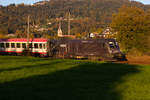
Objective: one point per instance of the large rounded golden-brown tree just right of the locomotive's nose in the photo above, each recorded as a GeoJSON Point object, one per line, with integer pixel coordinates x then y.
{"type": "Point", "coordinates": [132, 27]}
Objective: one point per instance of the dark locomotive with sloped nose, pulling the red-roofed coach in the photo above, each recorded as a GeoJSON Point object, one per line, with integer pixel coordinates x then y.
{"type": "Point", "coordinates": [95, 49]}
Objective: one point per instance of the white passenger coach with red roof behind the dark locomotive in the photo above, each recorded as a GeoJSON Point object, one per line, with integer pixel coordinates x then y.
{"type": "Point", "coordinates": [18, 46]}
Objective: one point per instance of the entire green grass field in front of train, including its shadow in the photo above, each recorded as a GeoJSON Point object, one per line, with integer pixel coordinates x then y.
{"type": "Point", "coordinates": [28, 78]}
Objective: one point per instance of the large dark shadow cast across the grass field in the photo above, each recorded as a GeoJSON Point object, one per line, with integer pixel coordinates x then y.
{"type": "Point", "coordinates": [87, 81]}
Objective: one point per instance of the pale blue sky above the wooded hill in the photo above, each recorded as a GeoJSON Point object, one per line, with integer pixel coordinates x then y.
{"type": "Point", "coordinates": [7, 2]}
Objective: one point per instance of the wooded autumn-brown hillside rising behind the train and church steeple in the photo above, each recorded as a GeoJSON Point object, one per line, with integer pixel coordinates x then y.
{"type": "Point", "coordinates": [86, 15]}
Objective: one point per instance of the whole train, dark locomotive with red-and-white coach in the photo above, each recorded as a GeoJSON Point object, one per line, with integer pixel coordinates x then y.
{"type": "Point", "coordinates": [95, 49]}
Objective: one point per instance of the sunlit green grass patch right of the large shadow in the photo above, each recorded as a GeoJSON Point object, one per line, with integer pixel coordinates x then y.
{"type": "Point", "coordinates": [137, 86]}
